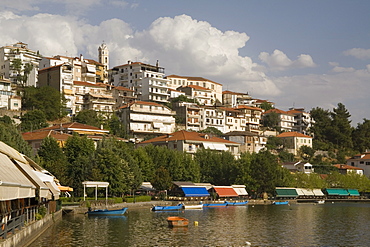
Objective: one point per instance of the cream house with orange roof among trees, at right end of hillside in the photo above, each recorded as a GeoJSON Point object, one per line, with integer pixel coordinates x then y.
{"type": "Point", "coordinates": [293, 141]}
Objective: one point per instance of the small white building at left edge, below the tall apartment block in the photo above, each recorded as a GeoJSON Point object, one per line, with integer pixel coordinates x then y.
{"type": "Point", "coordinates": [8, 98]}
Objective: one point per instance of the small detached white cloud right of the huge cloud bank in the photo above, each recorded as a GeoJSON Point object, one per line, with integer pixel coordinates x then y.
{"type": "Point", "coordinates": [278, 60]}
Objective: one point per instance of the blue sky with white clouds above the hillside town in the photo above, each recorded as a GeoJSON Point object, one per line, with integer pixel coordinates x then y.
{"type": "Point", "coordinates": [295, 53]}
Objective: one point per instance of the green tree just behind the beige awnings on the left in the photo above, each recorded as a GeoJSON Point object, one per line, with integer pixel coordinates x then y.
{"type": "Point", "coordinates": [53, 159]}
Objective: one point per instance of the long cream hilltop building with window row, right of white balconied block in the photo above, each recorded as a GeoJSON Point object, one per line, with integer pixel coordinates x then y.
{"type": "Point", "coordinates": [215, 88]}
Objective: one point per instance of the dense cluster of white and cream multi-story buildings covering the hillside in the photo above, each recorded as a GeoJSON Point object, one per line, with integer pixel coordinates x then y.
{"type": "Point", "coordinates": [140, 94]}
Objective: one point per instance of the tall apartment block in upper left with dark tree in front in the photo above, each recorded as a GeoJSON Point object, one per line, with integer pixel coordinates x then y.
{"type": "Point", "coordinates": [23, 72]}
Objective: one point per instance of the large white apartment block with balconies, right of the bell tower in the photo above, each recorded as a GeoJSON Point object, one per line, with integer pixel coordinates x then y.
{"type": "Point", "coordinates": [148, 81]}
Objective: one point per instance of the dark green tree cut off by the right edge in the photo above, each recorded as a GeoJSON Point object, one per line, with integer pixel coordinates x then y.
{"type": "Point", "coordinates": [361, 136]}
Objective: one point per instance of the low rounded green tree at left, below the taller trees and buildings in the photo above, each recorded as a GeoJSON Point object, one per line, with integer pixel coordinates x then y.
{"type": "Point", "coordinates": [33, 120]}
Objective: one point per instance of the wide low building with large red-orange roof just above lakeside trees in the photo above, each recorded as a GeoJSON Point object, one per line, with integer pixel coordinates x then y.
{"type": "Point", "coordinates": [190, 142]}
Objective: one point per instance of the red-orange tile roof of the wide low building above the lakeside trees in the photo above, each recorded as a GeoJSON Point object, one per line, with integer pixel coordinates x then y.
{"type": "Point", "coordinates": [184, 135]}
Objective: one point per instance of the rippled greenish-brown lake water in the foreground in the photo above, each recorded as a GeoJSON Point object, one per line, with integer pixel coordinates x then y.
{"type": "Point", "coordinates": [338, 224]}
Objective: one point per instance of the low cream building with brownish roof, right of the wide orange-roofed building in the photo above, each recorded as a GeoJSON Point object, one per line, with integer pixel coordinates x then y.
{"type": "Point", "coordinates": [251, 142]}
